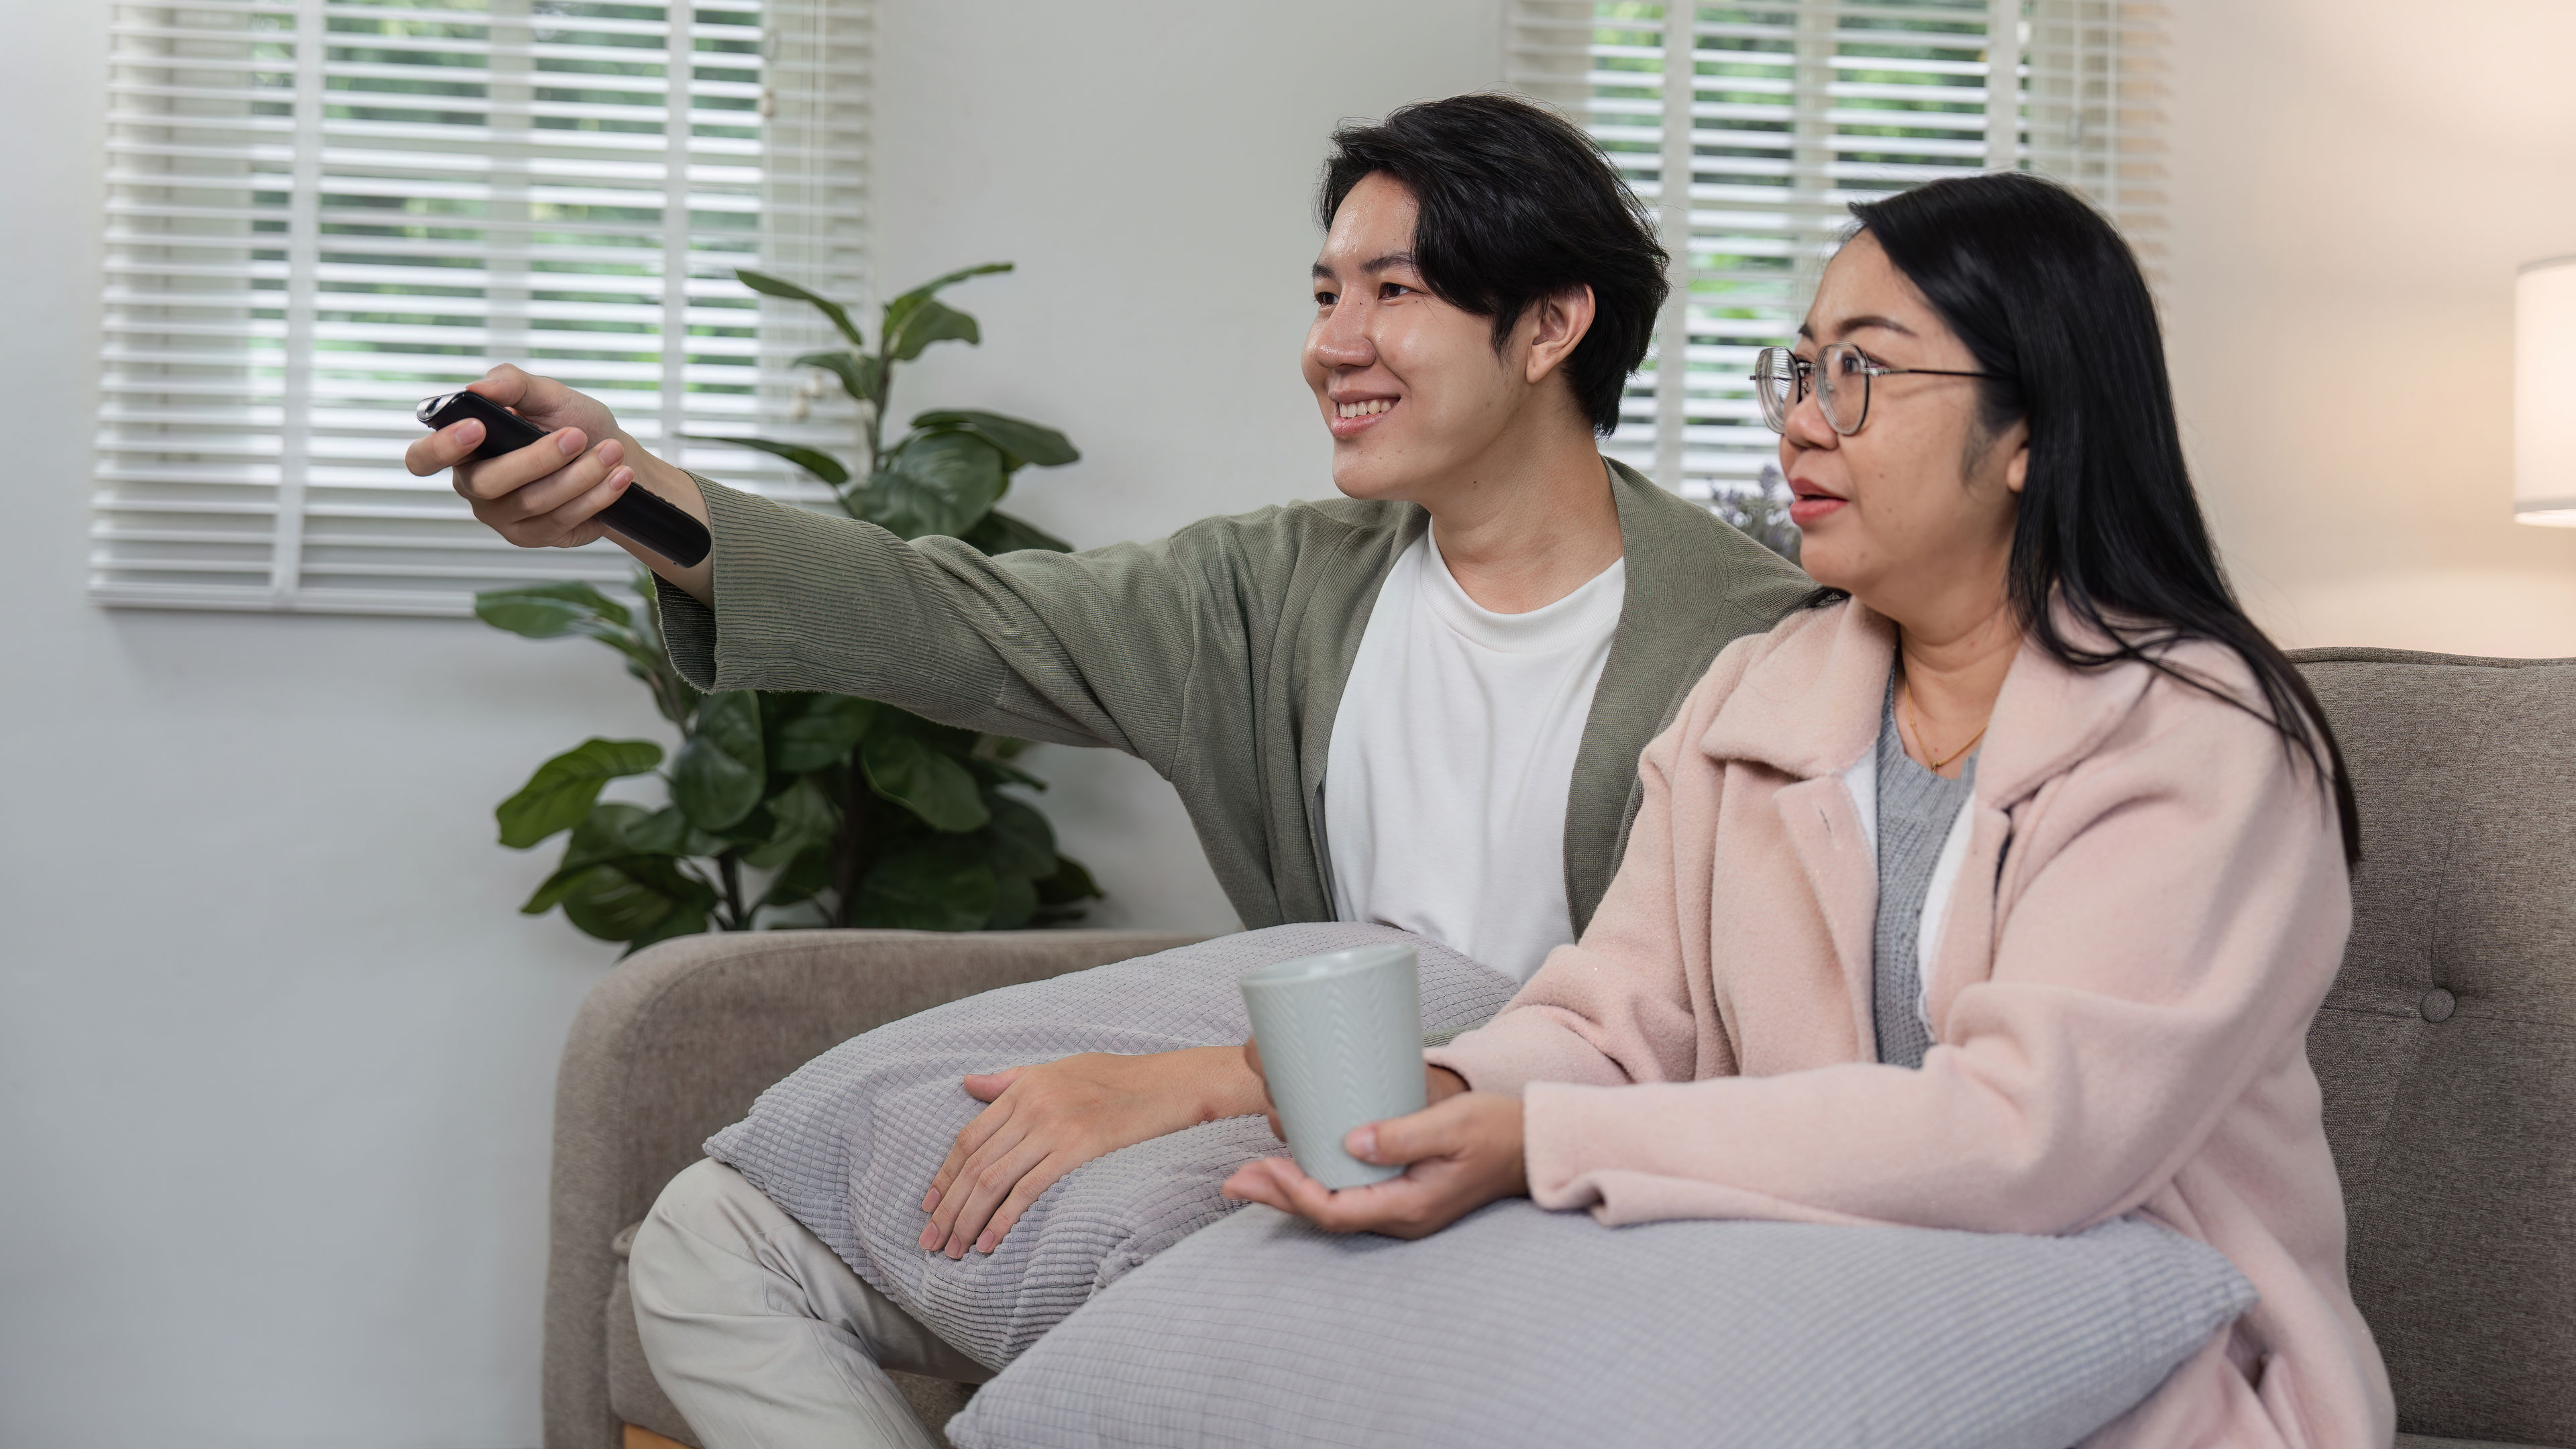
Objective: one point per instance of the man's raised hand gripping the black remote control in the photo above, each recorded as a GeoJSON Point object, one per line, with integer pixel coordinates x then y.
{"type": "Point", "coordinates": [550, 494]}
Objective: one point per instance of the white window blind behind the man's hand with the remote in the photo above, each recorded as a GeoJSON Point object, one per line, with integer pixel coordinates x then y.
{"type": "Point", "coordinates": [326, 210]}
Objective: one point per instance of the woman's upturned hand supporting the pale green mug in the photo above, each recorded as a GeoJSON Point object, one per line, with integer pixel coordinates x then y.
{"type": "Point", "coordinates": [1457, 1154]}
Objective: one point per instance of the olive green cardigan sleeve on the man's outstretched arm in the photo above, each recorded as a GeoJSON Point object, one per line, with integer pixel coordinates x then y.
{"type": "Point", "coordinates": [1091, 648]}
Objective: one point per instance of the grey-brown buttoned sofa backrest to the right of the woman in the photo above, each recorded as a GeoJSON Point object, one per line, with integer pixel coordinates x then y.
{"type": "Point", "coordinates": [2448, 1045]}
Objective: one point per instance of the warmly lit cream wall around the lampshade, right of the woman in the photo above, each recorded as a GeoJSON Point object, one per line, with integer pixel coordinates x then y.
{"type": "Point", "coordinates": [2353, 190]}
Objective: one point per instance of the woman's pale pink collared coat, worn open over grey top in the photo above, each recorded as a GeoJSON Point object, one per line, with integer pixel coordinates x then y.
{"type": "Point", "coordinates": [2152, 906]}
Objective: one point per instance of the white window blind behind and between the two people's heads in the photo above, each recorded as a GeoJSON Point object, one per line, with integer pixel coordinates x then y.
{"type": "Point", "coordinates": [1753, 128]}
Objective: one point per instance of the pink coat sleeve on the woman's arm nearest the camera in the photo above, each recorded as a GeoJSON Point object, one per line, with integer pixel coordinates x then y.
{"type": "Point", "coordinates": [2165, 937]}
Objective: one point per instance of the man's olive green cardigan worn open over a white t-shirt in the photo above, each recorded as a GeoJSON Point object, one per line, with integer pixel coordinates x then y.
{"type": "Point", "coordinates": [1215, 656]}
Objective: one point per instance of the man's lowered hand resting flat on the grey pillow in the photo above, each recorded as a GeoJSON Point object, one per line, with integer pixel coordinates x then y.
{"type": "Point", "coordinates": [1055, 1118]}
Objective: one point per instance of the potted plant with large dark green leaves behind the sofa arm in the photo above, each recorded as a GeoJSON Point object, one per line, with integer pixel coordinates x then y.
{"type": "Point", "coordinates": [810, 808]}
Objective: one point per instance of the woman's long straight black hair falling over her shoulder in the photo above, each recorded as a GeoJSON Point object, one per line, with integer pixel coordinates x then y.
{"type": "Point", "coordinates": [2054, 306]}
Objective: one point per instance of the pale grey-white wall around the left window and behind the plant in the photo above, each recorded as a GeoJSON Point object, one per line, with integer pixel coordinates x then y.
{"type": "Point", "coordinates": [277, 1053]}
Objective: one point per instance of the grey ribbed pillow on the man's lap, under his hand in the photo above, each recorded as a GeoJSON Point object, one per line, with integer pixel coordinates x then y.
{"type": "Point", "coordinates": [849, 1143]}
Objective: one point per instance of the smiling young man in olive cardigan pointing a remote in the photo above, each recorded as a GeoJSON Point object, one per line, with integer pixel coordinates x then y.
{"type": "Point", "coordinates": [1416, 705]}
